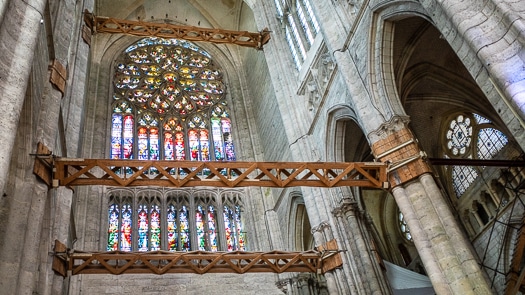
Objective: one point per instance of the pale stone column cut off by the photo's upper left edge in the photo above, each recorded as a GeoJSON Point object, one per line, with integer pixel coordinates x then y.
{"type": "Point", "coordinates": [18, 37]}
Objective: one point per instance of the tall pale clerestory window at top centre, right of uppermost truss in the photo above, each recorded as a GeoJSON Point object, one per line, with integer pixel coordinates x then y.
{"type": "Point", "coordinates": [300, 27]}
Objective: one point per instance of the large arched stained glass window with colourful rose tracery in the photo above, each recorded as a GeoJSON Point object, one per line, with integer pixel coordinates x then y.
{"type": "Point", "coordinates": [166, 92]}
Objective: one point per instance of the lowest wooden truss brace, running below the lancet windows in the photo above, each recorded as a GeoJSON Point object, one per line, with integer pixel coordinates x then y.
{"type": "Point", "coordinates": [67, 262]}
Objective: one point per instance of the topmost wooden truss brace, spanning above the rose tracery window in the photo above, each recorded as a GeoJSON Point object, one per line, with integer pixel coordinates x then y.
{"type": "Point", "coordinates": [100, 24]}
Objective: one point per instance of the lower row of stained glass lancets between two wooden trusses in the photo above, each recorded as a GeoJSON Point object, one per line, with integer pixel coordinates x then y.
{"type": "Point", "coordinates": [174, 220]}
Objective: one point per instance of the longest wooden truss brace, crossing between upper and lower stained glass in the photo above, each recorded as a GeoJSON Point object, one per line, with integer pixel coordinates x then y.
{"type": "Point", "coordinates": [127, 173]}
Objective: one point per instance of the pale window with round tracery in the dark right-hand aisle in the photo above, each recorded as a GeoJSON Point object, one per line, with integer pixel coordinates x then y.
{"type": "Point", "coordinates": [470, 136]}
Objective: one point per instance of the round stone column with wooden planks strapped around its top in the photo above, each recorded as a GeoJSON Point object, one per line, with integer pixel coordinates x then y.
{"type": "Point", "coordinates": [443, 247]}
